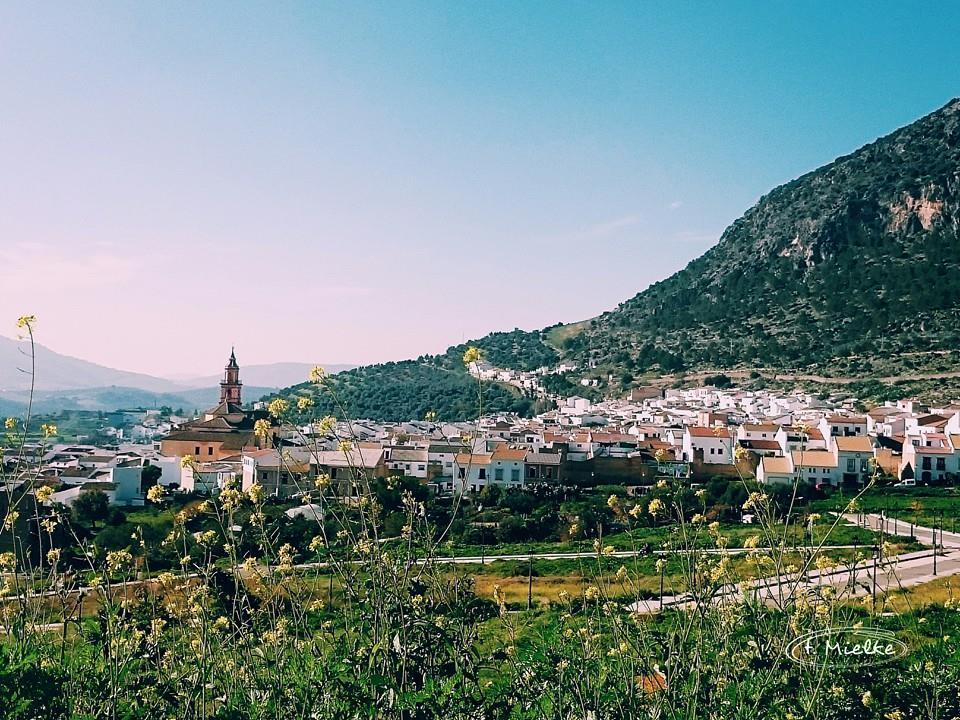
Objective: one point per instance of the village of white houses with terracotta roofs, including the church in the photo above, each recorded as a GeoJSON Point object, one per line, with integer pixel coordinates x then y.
{"type": "Point", "coordinates": [688, 434]}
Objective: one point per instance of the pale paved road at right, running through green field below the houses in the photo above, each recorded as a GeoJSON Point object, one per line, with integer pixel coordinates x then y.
{"type": "Point", "coordinates": [866, 578]}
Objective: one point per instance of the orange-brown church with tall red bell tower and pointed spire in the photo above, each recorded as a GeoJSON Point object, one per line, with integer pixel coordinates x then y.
{"type": "Point", "coordinates": [222, 432]}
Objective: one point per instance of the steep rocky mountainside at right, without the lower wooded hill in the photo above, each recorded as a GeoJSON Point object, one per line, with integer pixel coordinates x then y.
{"type": "Point", "coordinates": [860, 256]}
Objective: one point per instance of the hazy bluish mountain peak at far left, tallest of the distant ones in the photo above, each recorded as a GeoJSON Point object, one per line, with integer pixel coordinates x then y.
{"type": "Point", "coordinates": [62, 372]}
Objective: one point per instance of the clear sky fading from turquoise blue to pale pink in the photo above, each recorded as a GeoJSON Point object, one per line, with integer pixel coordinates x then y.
{"type": "Point", "coordinates": [360, 182]}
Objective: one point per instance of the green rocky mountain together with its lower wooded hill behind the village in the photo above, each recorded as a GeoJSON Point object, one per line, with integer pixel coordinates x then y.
{"type": "Point", "coordinates": [851, 267]}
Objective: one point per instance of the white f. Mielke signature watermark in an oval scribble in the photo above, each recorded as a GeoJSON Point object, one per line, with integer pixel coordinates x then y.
{"type": "Point", "coordinates": [846, 646]}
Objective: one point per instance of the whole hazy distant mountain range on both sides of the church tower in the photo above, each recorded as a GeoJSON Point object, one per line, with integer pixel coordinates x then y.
{"type": "Point", "coordinates": [69, 383]}
